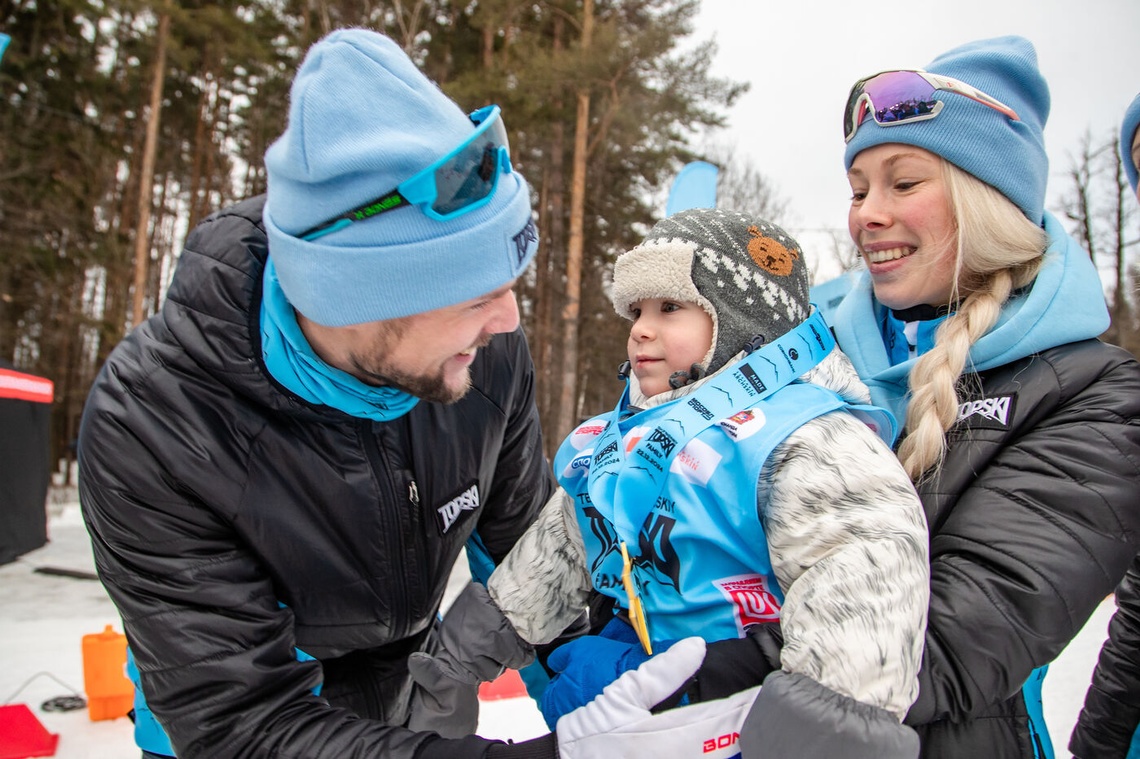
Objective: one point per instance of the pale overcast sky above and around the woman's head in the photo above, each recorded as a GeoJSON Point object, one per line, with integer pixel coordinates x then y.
{"type": "Point", "coordinates": [802, 58]}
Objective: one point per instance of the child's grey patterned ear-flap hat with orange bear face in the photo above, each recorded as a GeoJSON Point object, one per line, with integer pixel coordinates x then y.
{"type": "Point", "coordinates": [746, 273]}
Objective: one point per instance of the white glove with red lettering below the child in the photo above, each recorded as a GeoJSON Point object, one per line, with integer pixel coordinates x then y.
{"type": "Point", "coordinates": [620, 723]}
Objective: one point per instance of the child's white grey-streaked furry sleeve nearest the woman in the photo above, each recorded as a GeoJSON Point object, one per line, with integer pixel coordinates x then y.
{"type": "Point", "coordinates": [849, 544]}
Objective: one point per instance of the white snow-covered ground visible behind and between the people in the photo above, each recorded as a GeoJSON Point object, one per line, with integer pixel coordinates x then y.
{"type": "Point", "coordinates": [45, 617]}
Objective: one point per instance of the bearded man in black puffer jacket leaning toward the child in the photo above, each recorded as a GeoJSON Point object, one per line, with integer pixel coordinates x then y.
{"type": "Point", "coordinates": [281, 468]}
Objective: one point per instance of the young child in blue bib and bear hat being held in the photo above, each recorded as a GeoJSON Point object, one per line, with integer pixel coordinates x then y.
{"type": "Point", "coordinates": [740, 480]}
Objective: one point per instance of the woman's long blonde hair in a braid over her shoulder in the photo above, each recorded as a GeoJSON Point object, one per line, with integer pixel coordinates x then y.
{"type": "Point", "coordinates": [999, 250]}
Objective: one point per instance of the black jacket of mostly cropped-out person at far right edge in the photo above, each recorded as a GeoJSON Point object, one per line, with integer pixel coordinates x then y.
{"type": "Point", "coordinates": [1112, 707]}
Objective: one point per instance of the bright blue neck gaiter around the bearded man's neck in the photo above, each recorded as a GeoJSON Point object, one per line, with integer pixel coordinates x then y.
{"type": "Point", "coordinates": [292, 362]}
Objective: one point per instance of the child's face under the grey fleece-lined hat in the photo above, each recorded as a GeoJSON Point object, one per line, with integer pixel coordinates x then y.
{"type": "Point", "coordinates": [667, 337]}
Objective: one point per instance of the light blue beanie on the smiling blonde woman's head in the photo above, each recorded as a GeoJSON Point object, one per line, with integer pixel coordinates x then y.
{"type": "Point", "coordinates": [1007, 154]}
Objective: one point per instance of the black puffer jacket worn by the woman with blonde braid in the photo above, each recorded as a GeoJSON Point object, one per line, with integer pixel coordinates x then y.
{"type": "Point", "coordinates": [1033, 521]}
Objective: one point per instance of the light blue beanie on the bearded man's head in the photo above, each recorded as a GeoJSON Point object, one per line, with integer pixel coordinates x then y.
{"type": "Point", "coordinates": [363, 119]}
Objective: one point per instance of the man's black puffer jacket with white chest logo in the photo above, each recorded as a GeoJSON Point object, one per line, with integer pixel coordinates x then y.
{"type": "Point", "coordinates": [233, 521]}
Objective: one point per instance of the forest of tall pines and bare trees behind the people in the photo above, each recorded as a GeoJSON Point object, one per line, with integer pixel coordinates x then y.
{"type": "Point", "coordinates": [125, 123]}
